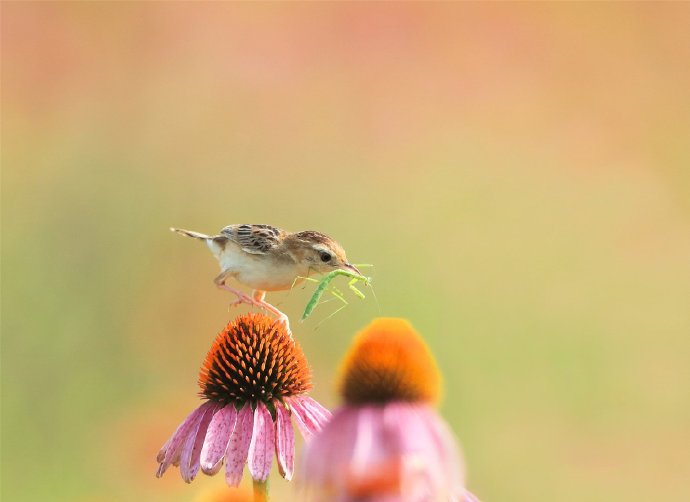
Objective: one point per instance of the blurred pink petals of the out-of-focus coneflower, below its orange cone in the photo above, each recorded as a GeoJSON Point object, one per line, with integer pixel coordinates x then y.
{"type": "Point", "coordinates": [385, 452]}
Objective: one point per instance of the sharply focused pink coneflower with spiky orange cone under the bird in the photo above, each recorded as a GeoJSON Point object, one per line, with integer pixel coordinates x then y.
{"type": "Point", "coordinates": [254, 381]}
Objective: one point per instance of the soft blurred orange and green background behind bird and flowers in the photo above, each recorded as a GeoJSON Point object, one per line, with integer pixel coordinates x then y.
{"type": "Point", "coordinates": [518, 173]}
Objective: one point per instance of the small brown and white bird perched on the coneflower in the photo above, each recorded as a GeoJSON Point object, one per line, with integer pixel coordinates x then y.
{"type": "Point", "coordinates": [267, 258]}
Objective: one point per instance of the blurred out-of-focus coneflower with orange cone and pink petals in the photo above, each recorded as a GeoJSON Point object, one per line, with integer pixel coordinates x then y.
{"type": "Point", "coordinates": [387, 442]}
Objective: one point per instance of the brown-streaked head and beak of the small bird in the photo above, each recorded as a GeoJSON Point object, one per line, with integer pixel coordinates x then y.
{"type": "Point", "coordinates": [320, 253]}
